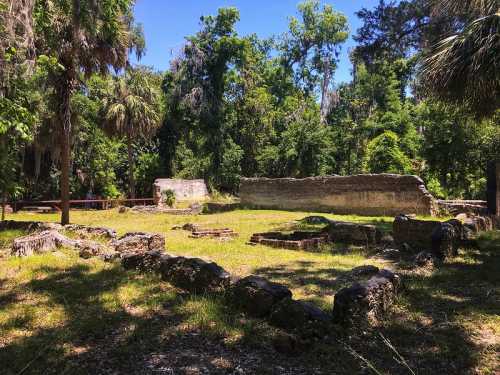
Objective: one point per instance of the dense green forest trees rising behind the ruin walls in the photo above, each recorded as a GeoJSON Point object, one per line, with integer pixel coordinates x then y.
{"type": "Point", "coordinates": [235, 105]}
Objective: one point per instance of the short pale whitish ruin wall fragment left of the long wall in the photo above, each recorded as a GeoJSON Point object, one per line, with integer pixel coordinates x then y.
{"type": "Point", "coordinates": [183, 189]}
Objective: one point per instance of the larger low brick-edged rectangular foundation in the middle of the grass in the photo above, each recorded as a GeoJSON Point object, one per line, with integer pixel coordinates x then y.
{"type": "Point", "coordinates": [297, 240]}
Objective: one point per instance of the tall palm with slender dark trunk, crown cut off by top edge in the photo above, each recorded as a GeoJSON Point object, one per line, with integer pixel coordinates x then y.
{"type": "Point", "coordinates": [84, 37]}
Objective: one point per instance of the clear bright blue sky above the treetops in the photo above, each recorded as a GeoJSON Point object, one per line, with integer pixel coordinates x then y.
{"type": "Point", "coordinates": [167, 22]}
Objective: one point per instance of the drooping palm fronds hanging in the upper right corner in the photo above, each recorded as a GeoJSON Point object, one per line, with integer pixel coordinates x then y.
{"type": "Point", "coordinates": [464, 68]}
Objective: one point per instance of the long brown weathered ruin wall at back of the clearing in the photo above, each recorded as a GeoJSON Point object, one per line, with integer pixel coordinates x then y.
{"type": "Point", "coordinates": [365, 194]}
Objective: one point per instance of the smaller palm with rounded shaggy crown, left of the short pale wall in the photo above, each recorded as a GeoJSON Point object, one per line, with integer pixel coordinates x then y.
{"type": "Point", "coordinates": [133, 111]}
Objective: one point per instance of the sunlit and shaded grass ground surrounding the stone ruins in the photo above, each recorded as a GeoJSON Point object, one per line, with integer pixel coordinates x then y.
{"type": "Point", "coordinates": [62, 314]}
